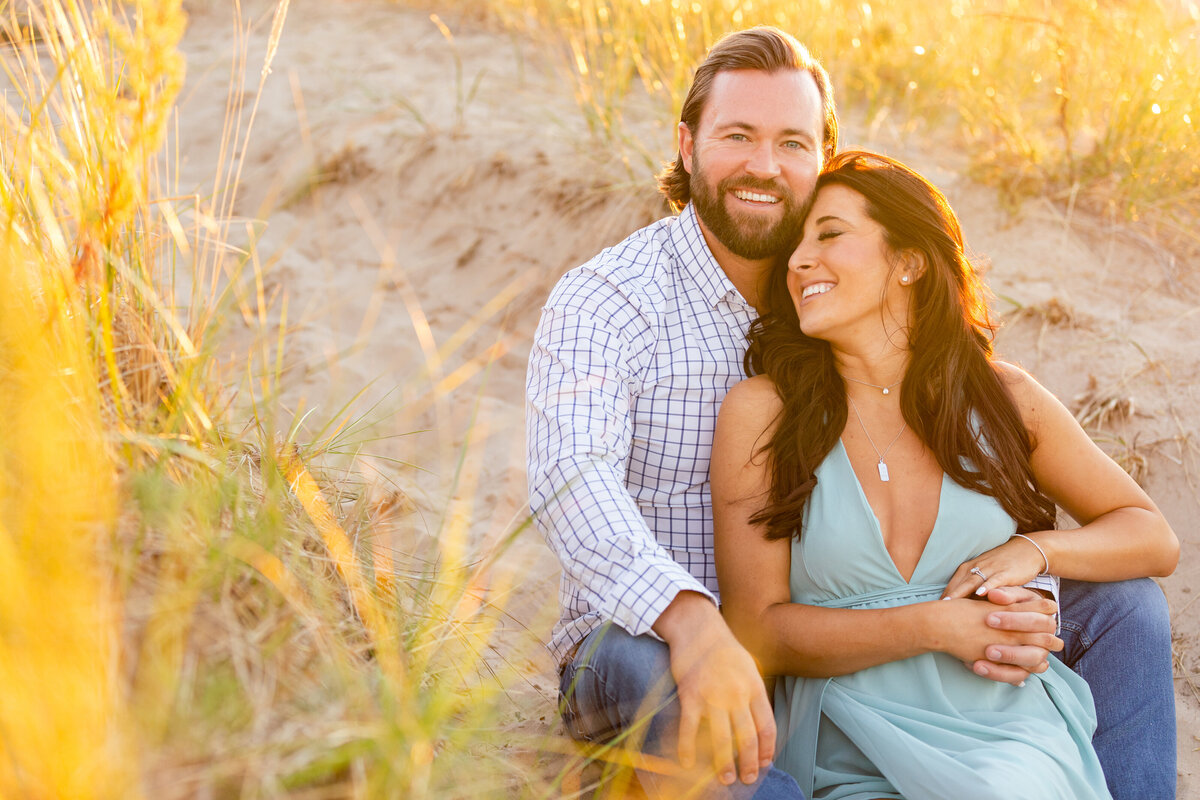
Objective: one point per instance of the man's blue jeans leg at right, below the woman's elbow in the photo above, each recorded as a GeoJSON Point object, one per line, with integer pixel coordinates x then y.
{"type": "Point", "coordinates": [1119, 640]}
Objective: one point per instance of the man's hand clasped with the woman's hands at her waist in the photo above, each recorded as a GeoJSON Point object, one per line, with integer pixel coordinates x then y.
{"type": "Point", "coordinates": [1018, 610]}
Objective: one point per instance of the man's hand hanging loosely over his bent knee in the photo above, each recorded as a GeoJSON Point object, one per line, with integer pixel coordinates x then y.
{"type": "Point", "coordinates": [718, 683]}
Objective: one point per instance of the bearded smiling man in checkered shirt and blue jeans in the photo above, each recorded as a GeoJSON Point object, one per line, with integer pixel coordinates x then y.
{"type": "Point", "coordinates": [632, 359]}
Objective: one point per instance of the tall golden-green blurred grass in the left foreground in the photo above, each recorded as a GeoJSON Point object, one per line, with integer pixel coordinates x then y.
{"type": "Point", "coordinates": [188, 610]}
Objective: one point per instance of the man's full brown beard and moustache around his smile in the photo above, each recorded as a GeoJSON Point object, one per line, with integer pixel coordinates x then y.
{"type": "Point", "coordinates": [746, 237]}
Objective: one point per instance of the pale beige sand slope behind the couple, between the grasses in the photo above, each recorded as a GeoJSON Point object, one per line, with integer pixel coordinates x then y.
{"type": "Point", "coordinates": [415, 195]}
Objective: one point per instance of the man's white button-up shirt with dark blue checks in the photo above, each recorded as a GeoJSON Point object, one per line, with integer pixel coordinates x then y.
{"type": "Point", "coordinates": [633, 357]}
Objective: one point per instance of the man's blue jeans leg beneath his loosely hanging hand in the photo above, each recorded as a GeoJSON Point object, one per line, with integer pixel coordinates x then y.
{"type": "Point", "coordinates": [621, 685]}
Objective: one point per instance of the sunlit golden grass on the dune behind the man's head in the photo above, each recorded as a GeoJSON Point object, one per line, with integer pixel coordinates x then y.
{"type": "Point", "coordinates": [1091, 104]}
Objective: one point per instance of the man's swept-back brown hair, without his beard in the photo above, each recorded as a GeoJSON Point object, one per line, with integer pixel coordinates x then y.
{"type": "Point", "coordinates": [765, 49]}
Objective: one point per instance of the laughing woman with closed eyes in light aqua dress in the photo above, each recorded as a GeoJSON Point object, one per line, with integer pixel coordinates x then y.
{"type": "Point", "coordinates": [879, 474]}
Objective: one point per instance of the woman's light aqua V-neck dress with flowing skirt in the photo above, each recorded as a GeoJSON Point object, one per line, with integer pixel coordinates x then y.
{"type": "Point", "coordinates": [926, 727]}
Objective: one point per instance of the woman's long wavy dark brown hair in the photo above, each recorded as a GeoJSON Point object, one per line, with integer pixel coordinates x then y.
{"type": "Point", "coordinates": [952, 396]}
